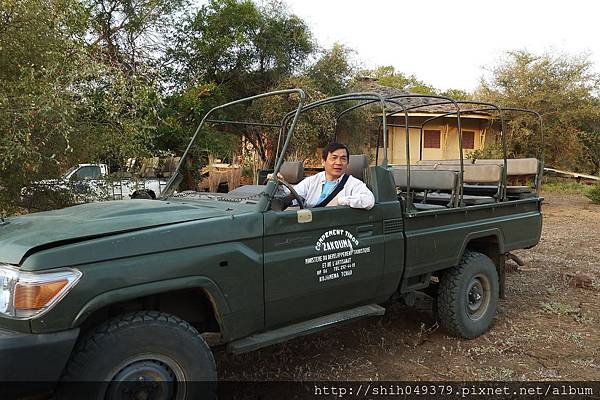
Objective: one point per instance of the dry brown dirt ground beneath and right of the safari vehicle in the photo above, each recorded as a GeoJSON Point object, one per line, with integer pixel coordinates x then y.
{"type": "Point", "coordinates": [547, 328]}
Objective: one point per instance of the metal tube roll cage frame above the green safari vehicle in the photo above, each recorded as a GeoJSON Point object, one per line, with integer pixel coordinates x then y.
{"type": "Point", "coordinates": [290, 120]}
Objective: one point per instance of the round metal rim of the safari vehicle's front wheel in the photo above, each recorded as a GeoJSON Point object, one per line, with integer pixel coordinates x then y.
{"type": "Point", "coordinates": [146, 377]}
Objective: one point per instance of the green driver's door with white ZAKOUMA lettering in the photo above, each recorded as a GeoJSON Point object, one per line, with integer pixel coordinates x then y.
{"type": "Point", "coordinates": [331, 263]}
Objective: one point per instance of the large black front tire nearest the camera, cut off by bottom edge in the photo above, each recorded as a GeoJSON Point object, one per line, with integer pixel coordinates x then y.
{"type": "Point", "coordinates": [144, 354]}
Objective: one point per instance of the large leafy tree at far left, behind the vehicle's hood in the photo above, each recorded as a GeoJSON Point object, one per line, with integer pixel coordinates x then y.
{"type": "Point", "coordinates": [59, 103]}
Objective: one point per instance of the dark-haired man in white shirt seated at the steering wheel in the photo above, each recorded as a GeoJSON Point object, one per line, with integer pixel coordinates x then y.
{"type": "Point", "coordinates": [334, 186]}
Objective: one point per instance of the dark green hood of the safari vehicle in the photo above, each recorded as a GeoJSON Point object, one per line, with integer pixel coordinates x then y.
{"type": "Point", "coordinates": [20, 236]}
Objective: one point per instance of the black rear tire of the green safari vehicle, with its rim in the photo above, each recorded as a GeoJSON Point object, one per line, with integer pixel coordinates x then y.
{"type": "Point", "coordinates": [468, 296]}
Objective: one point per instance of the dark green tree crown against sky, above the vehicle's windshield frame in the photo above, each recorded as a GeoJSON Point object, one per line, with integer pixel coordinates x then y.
{"type": "Point", "coordinates": [238, 44]}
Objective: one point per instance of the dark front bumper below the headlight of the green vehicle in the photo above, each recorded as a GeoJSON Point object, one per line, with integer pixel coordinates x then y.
{"type": "Point", "coordinates": [26, 357]}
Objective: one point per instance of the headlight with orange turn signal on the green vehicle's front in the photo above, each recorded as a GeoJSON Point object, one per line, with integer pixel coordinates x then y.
{"type": "Point", "coordinates": [25, 295]}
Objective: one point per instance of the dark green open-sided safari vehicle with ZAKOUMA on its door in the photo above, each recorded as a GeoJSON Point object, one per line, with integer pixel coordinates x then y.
{"type": "Point", "coordinates": [124, 292]}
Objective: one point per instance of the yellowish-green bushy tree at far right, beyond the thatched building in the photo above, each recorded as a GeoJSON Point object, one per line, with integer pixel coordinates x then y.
{"type": "Point", "coordinates": [563, 89]}
